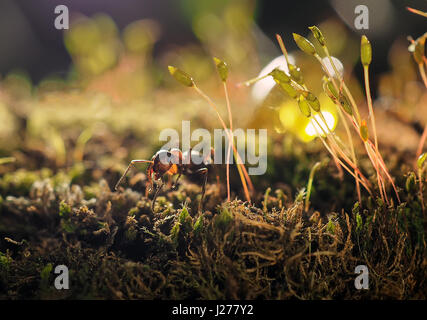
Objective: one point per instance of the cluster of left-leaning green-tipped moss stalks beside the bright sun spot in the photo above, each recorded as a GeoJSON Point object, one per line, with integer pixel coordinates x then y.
{"type": "Point", "coordinates": [335, 87]}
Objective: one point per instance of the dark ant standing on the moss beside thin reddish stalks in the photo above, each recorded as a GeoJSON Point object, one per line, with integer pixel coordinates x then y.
{"type": "Point", "coordinates": [174, 162]}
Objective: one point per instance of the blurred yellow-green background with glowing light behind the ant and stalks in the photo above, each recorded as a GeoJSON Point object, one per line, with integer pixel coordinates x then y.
{"type": "Point", "coordinates": [100, 91]}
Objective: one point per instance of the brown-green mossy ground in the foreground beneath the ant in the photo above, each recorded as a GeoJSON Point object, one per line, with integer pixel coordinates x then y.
{"type": "Point", "coordinates": [115, 247]}
